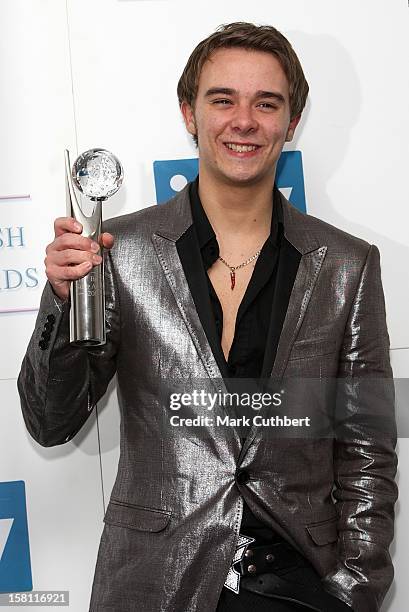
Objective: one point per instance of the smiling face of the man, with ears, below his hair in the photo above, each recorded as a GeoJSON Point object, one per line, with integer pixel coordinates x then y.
{"type": "Point", "coordinates": [241, 116]}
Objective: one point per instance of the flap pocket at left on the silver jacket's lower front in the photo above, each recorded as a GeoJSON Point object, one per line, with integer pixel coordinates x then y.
{"type": "Point", "coordinates": [140, 518]}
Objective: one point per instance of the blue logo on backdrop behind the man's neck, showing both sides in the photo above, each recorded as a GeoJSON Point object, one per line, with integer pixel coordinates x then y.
{"type": "Point", "coordinates": [173, 174]}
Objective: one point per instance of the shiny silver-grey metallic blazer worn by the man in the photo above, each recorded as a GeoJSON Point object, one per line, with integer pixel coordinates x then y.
{"type": "Point", "coordinates": [173, 521]}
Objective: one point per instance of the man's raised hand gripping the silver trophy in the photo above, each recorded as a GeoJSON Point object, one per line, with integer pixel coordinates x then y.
{"type": "Point", "coordinates": [71, 256]}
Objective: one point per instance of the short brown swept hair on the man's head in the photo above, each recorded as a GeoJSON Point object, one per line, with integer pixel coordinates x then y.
{"type": "Point", "coordinates": [252, 37]}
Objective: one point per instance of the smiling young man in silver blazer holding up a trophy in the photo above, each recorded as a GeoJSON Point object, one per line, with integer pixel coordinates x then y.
{"type": "Point", "coordinates": [227, 280]}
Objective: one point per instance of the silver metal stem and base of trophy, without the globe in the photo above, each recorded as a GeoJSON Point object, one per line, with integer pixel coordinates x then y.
{"type": "Point", "coordinates": [87, 314]}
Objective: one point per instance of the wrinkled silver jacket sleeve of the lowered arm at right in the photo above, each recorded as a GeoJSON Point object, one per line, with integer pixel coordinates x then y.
{"type": "Point", "coordinates": [364, 450]}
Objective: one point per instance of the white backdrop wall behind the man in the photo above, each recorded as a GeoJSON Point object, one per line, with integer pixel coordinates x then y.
{"type": "Point", "coordinates": [83, 73]}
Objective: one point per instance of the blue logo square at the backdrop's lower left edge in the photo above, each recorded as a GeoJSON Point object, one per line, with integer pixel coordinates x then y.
{"type": "Point", "coordinates": [15, 567]}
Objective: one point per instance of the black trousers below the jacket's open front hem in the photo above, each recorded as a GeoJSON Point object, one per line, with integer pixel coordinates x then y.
{"type": "Point", "coordinates": [302, 578]}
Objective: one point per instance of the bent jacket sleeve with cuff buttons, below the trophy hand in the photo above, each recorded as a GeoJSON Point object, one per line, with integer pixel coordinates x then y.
{"type": "Point", "coordinates": [59, 383]}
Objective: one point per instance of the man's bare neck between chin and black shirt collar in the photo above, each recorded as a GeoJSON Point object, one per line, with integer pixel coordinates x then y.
{"type": "Point", "coordinates": [239, 210]}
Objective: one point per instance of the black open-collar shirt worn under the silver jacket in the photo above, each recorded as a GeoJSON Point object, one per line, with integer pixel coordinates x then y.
{"type": "Point", "coordinates": [264, 305]}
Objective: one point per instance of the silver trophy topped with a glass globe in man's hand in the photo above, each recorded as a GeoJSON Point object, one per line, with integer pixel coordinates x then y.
{"type": "Point", "coordinates": [98, 175]}
